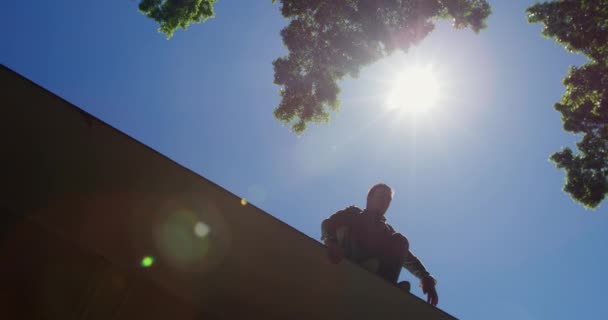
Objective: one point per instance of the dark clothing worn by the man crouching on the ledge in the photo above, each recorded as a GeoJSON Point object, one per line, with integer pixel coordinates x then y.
{"type": "Point", "coordinates": [366, 237]}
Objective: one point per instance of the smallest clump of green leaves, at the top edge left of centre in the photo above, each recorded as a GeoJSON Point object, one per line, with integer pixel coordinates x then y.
{"type": "Point", "coordinates": [173, 14]}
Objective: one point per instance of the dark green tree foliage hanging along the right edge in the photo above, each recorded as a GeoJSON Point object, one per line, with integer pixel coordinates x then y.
{"type": "Point", "coordinates": [582, 26]}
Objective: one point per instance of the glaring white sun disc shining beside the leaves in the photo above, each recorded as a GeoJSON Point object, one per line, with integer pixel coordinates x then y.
{"type": "Point", "coordinates": [415, 90]}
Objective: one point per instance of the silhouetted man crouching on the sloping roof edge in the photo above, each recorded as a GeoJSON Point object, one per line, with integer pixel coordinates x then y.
{"type": "Point", "coordinates": [364, 237]}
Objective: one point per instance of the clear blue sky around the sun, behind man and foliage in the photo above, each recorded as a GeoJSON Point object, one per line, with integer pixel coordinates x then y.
{"type": "Point", "coordinates": [475, 193]}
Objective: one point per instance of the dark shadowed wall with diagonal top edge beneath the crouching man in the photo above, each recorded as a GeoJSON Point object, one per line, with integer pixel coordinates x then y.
{"type": "Point", "coordinates": [81, 204]}
